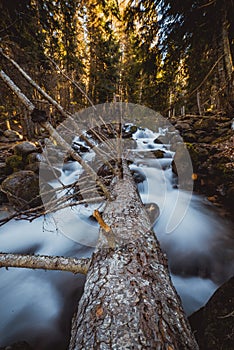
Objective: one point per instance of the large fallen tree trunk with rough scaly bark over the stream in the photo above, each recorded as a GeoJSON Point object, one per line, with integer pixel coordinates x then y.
{"type": "Point", "coordinates": [129, 301]}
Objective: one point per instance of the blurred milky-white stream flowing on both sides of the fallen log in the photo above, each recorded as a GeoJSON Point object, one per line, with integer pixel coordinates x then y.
{"type": "Point", "coordinates": [37, 306]}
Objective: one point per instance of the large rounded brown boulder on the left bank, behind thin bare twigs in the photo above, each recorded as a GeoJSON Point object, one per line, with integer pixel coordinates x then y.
{"type": "Point", "coordinates": [22, 189]}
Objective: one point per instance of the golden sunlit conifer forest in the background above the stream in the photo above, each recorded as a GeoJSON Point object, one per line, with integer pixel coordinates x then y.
{"type": "Point", "coordinates": [164, 54]}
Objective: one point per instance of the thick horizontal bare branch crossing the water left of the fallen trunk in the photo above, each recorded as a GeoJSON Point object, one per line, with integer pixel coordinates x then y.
{"type": "Point", "coordinates": [45, 262]}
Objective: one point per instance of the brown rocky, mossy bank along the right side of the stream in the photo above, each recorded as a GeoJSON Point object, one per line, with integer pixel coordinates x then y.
{"type": "Point", "coordinates": [210, 142]}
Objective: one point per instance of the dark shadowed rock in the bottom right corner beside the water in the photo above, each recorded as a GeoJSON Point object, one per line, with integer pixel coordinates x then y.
{"type": "Point", "coordinates": [213, 324]}
